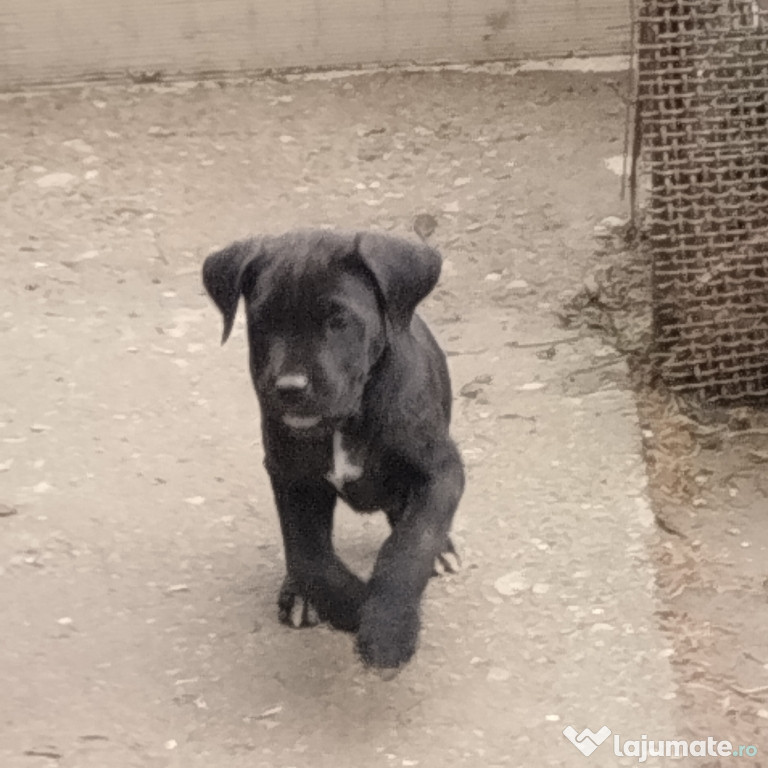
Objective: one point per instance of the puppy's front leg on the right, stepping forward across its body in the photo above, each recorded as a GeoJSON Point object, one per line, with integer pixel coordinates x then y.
{"type": "Point", "coordinates": [390, 621]}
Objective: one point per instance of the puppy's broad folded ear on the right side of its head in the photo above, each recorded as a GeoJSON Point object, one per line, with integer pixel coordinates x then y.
{"type": "Point", "coordinates": [404, 271]}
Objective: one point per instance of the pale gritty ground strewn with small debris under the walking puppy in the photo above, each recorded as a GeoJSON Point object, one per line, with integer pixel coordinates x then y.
{"type": "Point", "coordinates": [140, 553]}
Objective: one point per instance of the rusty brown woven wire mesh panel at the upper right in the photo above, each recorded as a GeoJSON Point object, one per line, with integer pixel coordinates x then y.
{"type": "Point", "coordinates": [702, 141]}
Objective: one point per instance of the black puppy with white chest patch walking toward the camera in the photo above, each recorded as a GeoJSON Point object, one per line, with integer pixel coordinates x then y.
{"type": "Point", "coordinates": [356, 402]}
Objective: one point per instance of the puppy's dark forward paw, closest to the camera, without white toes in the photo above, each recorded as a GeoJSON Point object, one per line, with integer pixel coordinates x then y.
{"type": "Point", "coordinates": [387, 637]}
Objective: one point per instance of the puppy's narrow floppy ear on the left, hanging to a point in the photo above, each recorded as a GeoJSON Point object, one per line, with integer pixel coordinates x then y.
{"type": "Point", "coordinates": [223, 277]}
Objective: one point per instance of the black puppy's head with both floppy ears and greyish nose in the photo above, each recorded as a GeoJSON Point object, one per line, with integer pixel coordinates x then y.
{"type": "Point", "coordinates": [321, 308]}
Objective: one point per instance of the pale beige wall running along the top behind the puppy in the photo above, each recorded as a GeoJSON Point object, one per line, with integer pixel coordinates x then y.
{"type": "Point", "coordinates": [59, 40]}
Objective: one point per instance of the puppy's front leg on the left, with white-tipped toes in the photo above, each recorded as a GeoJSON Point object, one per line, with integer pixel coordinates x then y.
{"type": "Point", "coordinates": [318, 586]}
